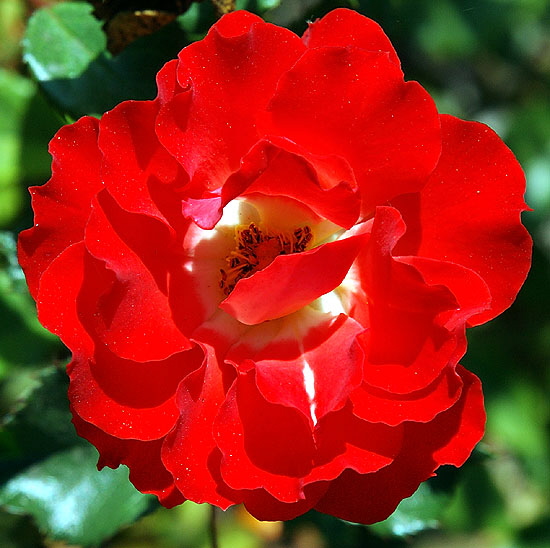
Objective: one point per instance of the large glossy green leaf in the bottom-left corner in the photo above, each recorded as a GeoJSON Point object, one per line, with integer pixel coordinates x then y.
{"type": "Point", "coordinates": [71, 501]}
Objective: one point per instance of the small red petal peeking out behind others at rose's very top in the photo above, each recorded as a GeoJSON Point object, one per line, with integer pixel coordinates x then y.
{"type": "Point", "coordinates": [343, 27]}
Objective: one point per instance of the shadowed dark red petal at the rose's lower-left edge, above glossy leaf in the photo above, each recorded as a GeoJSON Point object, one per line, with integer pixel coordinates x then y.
{"type": "Point", "coordinates": [147, 472]}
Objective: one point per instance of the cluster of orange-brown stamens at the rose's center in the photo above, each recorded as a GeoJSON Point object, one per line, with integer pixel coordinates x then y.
{"type": "Point", "coordinates": [256, 249]}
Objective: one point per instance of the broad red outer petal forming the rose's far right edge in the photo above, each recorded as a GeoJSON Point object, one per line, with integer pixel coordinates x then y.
{"type": "Point", "coordinates": [469, 212]}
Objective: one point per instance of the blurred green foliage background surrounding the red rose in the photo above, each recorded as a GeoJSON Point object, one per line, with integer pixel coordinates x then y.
{"type": "Point", "coordinates": [487, 60]}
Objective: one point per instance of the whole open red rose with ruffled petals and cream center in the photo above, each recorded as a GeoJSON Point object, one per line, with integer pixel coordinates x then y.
{"type": "Point", "coordinates": [265, 274]}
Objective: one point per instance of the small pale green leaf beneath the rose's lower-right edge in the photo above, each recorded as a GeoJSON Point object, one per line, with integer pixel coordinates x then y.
{"type": "Point", "coordinates": [418, 513]}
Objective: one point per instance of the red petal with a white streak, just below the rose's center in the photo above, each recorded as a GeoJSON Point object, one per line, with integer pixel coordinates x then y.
{"type": "Point", "coordinates": [312, 364]}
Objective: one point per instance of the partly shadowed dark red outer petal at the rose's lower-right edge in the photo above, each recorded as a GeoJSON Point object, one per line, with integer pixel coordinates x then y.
{"type": "Point", "coordinates": [448, 439]}
